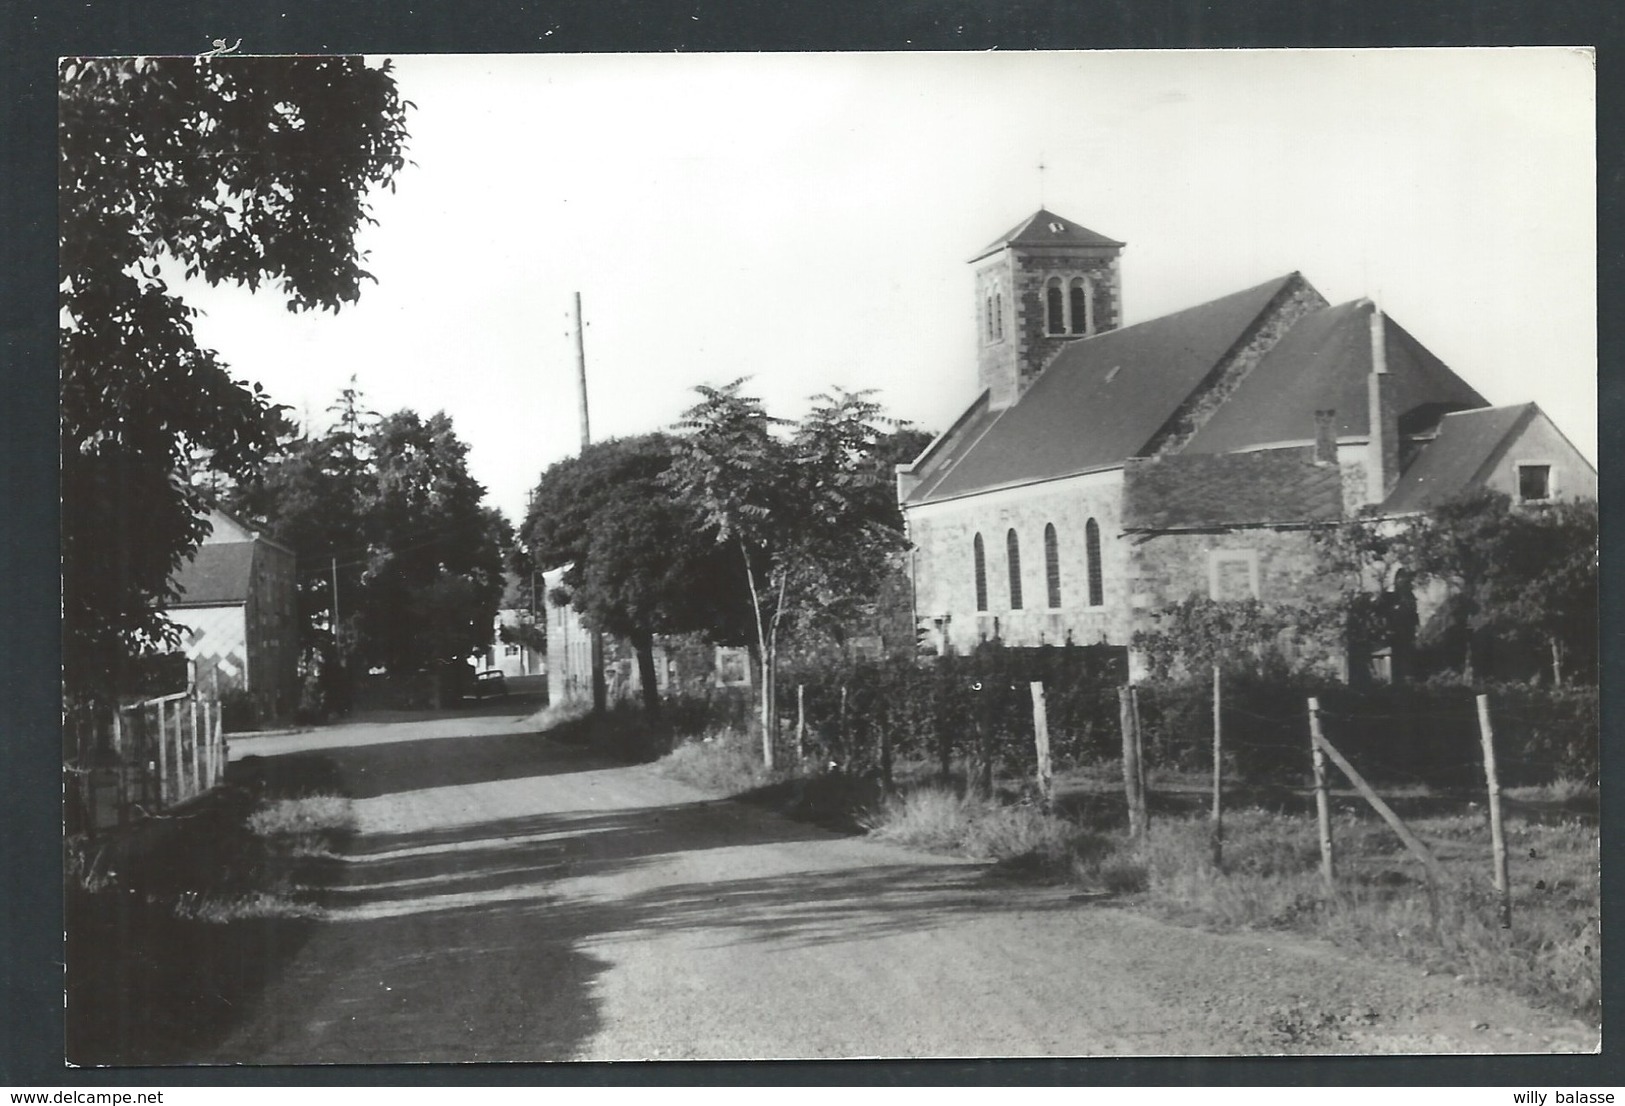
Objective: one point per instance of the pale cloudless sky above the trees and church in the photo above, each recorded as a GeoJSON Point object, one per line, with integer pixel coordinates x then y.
{"type": "Point", "coordinates": [807, 222]}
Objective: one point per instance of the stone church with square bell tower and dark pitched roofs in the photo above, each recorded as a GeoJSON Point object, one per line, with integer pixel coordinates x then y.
{"type": "Point", "coordinates": [1104, 472]}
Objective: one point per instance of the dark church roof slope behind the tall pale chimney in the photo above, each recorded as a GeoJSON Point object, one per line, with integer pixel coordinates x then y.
{"type": "Point", "coordinates": [1325, 363]}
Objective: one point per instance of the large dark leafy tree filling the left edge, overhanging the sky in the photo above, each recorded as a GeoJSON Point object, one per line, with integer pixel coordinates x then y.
{"type": "Point", "coordinates": [243, 170]}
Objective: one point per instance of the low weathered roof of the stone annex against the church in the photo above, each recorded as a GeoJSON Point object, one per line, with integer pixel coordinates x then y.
{"type": "Point", "coordinates": [1216, 491]}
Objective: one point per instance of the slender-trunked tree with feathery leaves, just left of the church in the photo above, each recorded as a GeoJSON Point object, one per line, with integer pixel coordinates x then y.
{"type": "Point", "coordinates": [807, 516]}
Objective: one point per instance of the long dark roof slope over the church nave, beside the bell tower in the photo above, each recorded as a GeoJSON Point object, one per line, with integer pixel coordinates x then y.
{"type": "Point", "coordinates": [1101, 400]}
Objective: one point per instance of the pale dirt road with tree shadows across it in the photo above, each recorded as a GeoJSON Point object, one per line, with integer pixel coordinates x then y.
{"type": "Point", "coordinates": [511, 899]}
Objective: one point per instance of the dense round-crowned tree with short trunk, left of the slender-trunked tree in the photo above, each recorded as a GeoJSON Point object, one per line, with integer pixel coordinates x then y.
{"type": "Point", "coordinates": [638, 566]}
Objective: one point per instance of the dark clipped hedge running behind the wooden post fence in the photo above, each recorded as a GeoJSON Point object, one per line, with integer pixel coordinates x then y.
{"type": "Point", "coordinates": [950, 711]}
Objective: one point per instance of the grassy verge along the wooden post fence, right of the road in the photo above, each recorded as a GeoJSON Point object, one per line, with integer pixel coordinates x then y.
{"type": "Point", "coordinates": [1270, 875]}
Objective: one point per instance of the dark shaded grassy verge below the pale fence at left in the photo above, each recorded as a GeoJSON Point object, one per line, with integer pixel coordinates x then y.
{"type": "Point", "coordinates": [171, 930]}
